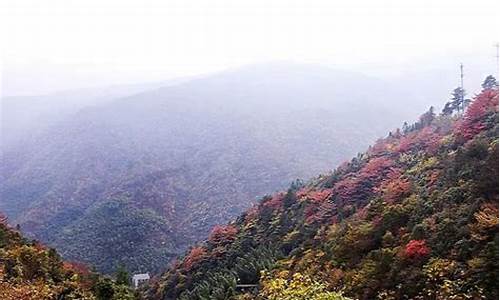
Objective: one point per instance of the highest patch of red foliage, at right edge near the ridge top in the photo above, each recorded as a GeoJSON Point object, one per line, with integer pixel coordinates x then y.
{"type": "Point", "coordinates": [473, 121]}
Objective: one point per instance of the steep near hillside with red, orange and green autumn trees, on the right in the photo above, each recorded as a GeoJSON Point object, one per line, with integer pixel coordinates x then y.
{"type": "Point", "coordinates": [414, 217]}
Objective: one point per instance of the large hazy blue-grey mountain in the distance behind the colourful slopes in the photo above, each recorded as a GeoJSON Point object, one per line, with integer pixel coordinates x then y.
{"type": "Point", "coordinates": [138, 179]}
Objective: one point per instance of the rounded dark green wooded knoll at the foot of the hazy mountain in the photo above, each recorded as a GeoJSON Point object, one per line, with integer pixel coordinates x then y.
{"type": "Point", "coordinates": [117, 228]}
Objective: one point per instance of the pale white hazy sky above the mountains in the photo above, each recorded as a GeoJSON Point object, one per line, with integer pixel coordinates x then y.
{"type": "Point", "coordinates": [51, 45]}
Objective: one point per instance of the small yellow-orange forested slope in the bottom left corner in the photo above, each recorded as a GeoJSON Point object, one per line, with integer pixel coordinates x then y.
{"type": "Point", "coordinates": [31, 271]}
